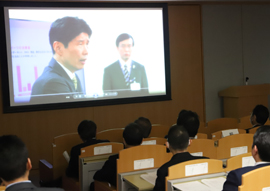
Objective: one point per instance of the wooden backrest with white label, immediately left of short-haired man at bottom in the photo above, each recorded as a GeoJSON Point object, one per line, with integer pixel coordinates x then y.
{"type": "Point", "coordinates": [131, 158]}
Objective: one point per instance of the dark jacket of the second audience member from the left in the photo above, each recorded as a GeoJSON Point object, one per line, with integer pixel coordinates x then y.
{"type": "Point", "coordinates": [73, 166]}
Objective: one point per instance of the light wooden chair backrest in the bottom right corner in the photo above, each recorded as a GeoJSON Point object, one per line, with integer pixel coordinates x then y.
{"type": "Point", "coordinates": [256, 180]}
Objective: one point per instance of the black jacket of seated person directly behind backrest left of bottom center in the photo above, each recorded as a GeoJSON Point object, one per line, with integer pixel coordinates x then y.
{"type": "Point", "coordinates": [108, 173]}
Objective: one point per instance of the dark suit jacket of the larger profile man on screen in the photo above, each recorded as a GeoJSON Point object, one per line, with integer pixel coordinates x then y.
{"type": "Point", "coordinates": [54, 80]}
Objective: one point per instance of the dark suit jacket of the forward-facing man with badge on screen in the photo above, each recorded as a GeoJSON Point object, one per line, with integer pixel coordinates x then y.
{"type": "Point", "coordinates": [113, 79]}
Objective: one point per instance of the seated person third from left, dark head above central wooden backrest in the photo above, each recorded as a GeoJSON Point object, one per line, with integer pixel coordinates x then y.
{"type": "Point", "coordinates": [132, 136]}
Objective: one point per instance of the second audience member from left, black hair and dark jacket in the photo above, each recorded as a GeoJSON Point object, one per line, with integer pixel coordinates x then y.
{"type": "Point", "coordinates": [87, 132]}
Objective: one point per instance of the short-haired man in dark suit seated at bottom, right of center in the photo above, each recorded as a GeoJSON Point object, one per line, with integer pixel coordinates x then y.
{"type": "Point", "coordinates": [178, 141]}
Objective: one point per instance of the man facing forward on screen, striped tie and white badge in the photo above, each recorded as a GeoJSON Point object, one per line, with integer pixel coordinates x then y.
{"type": "Point", "coordinates": [125, 76]}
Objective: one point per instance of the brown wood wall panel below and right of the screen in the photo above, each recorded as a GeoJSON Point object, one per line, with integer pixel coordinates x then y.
{"type": "Point", "coordinates": [37, 129]}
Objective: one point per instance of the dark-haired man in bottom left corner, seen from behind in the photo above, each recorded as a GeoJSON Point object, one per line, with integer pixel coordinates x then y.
{"type": "Point", "coordinates": [15, 165]}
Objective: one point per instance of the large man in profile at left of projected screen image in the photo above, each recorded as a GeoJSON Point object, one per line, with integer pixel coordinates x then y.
{"type": "Point", "coordinates": [69, 39]}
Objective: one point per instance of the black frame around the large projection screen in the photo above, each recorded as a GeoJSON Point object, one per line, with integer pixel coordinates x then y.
{"type": "Point", "coordinates": [4, 63]}
